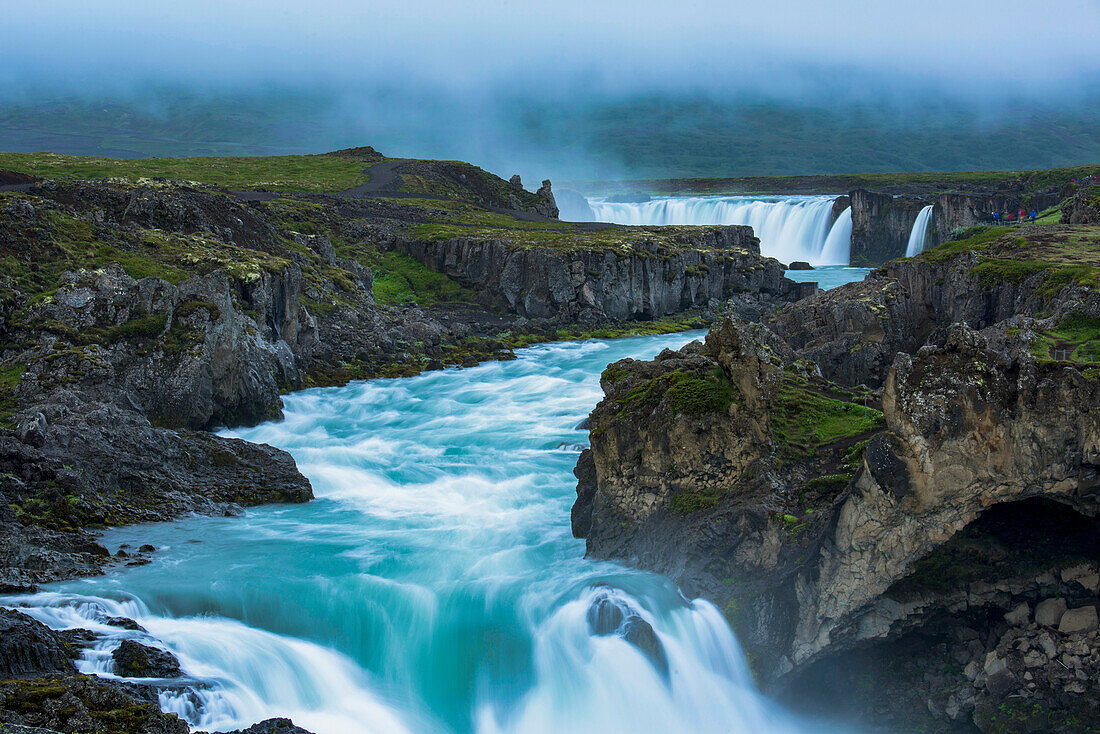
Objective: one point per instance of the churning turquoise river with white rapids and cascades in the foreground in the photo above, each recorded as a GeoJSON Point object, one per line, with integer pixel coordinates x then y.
{"type": "Point", "coordinates": [433, 586]}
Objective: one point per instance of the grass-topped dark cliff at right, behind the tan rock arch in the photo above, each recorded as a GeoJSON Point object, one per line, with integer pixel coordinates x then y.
{"type": "Point", "coordinates": [854, 333]}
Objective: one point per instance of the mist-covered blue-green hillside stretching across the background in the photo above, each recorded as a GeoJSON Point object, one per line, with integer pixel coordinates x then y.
{"type": "Point", "coordinates": [642, 138]}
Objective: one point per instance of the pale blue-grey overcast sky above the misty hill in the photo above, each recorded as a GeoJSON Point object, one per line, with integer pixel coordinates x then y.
{"type": "Point", "coordinates": [556, 47]}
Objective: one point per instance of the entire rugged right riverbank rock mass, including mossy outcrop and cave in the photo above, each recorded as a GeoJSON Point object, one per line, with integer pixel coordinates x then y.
{"type": "Point", "coordinates": [956, 533]}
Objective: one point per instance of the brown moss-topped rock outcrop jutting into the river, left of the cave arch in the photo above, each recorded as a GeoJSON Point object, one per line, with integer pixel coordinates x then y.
{"type": "Point", "coordinates": [691, 474]}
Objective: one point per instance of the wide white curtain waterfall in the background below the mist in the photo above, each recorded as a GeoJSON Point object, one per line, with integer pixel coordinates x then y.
{"type": "Point", "coordinates": [790, 228]}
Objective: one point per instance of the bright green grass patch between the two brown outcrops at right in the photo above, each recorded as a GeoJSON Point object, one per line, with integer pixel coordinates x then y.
{"type": "Point", "coordinates": [804, 422]}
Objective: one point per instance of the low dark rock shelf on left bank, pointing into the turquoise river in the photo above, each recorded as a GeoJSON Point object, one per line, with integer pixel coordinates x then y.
{"type": "Point", "coordinates": [133, 472]}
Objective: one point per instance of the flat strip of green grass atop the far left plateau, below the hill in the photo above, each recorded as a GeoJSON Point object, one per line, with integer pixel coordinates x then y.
{"type": "Point", "coordinates": [280, 173]}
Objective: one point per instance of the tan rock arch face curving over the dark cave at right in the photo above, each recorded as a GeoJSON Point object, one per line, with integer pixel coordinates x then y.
{"type": "Point", "coordinates": [967, 429]}
